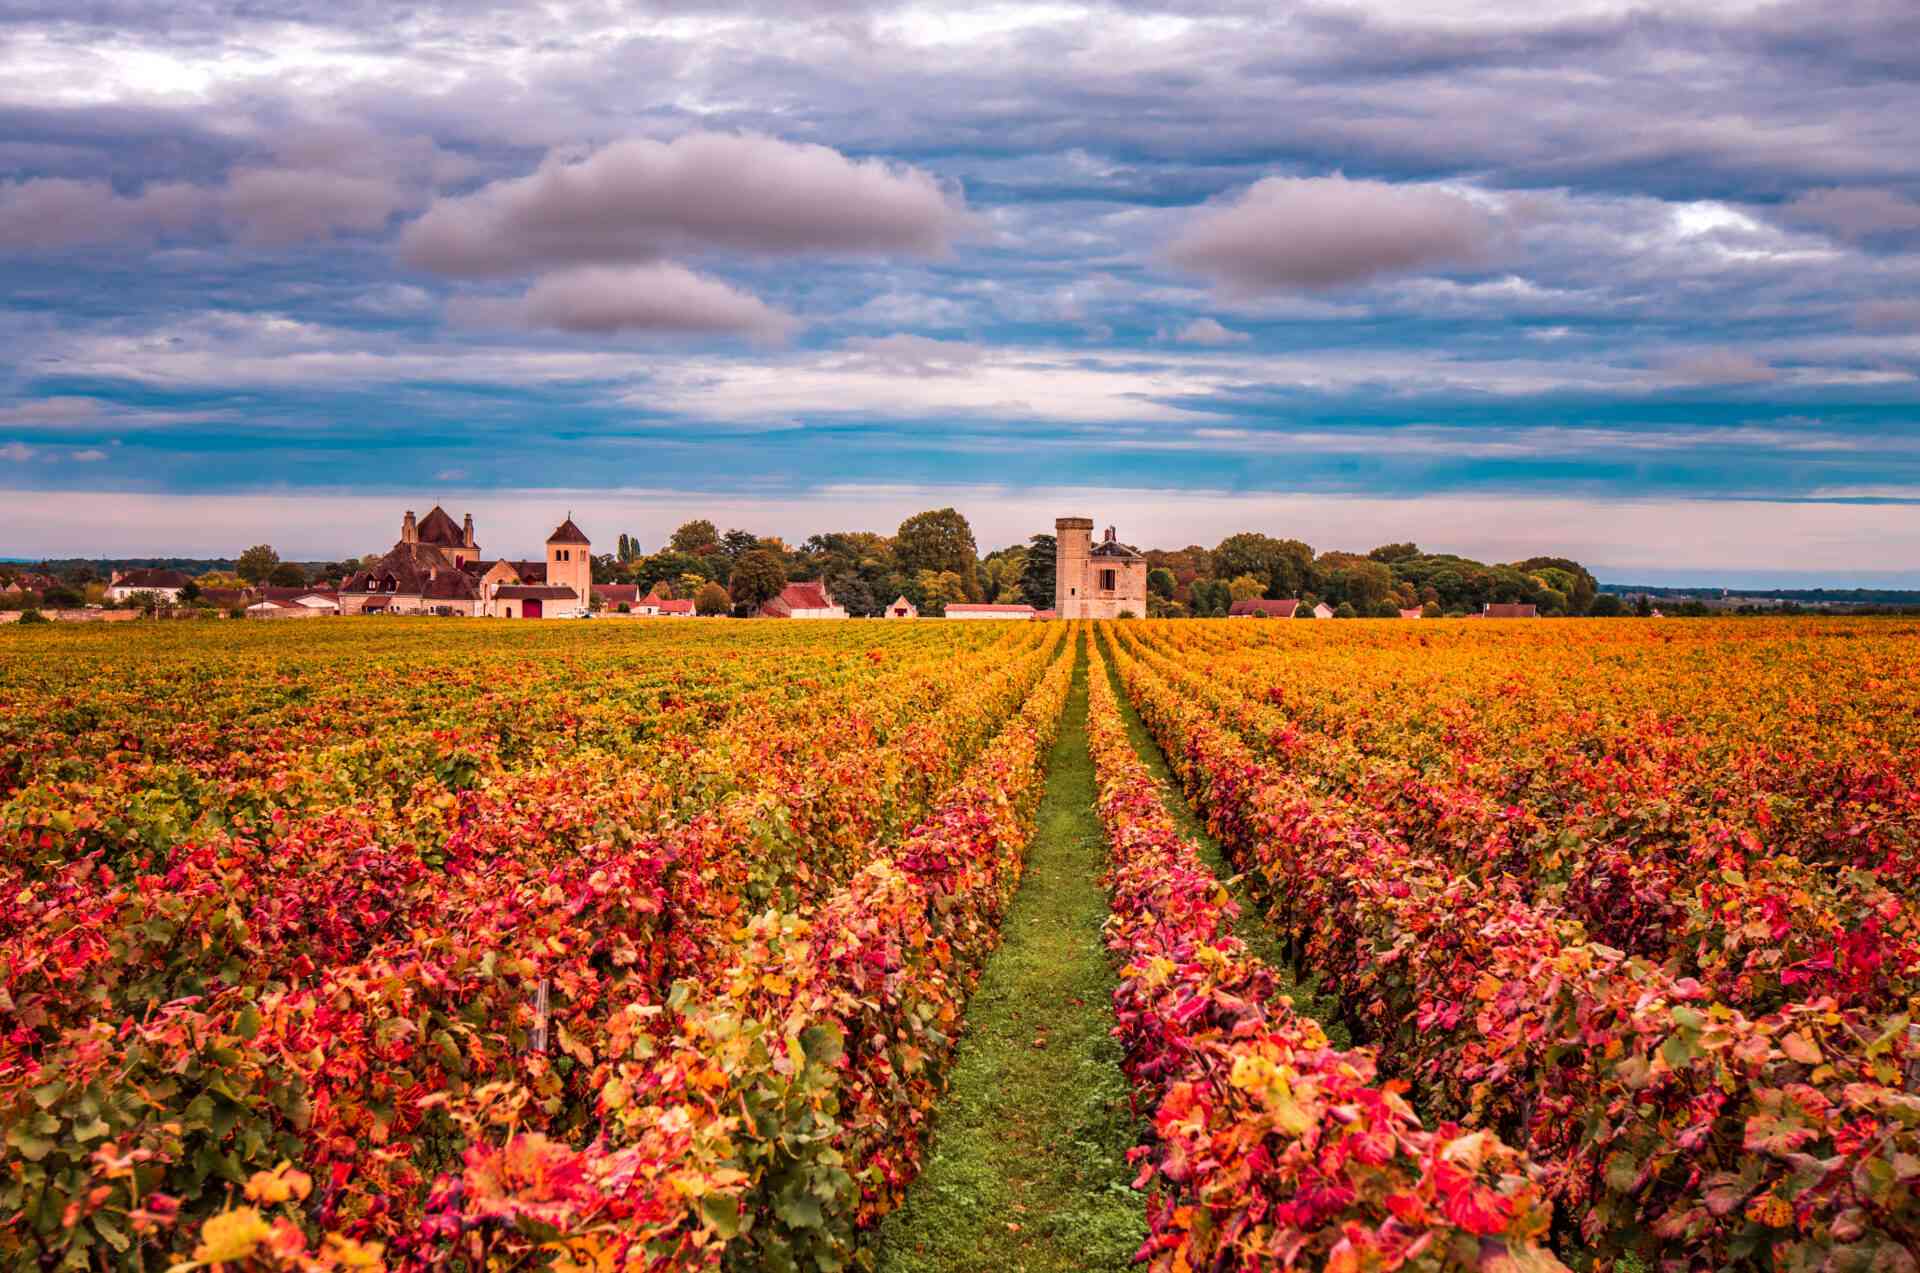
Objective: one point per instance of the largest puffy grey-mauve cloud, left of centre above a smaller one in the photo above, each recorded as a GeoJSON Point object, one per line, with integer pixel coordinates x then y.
{"type": "Point", "coordinates": [638, 201]}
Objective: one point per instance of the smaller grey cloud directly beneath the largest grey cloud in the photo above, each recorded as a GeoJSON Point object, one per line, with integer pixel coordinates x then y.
{"type": "Point", "coordinates": [604, 300]}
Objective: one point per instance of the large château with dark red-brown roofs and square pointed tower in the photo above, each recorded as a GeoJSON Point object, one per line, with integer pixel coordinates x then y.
{"type": "Point", "coordinates": [437, 569]}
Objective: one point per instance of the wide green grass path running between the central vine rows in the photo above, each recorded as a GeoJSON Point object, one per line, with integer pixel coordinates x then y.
{"type": "Point", "coordinates": [1028, 1166]}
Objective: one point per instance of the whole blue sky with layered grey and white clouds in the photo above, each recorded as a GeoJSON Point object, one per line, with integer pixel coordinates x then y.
{"type": "Point", "coordinates": [1637, 283]}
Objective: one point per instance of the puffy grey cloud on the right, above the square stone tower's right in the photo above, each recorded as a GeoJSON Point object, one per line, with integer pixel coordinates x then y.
{"type": "Point", "coordinates": [1330, 231]}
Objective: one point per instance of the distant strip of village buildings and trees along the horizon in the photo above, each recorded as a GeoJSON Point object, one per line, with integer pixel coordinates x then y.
{"type": "Point", "coordinates": [930, 567]}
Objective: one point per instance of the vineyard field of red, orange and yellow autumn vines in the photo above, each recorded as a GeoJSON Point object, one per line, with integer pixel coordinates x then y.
{"type": "Point", "coordinates": [654, 946]}
